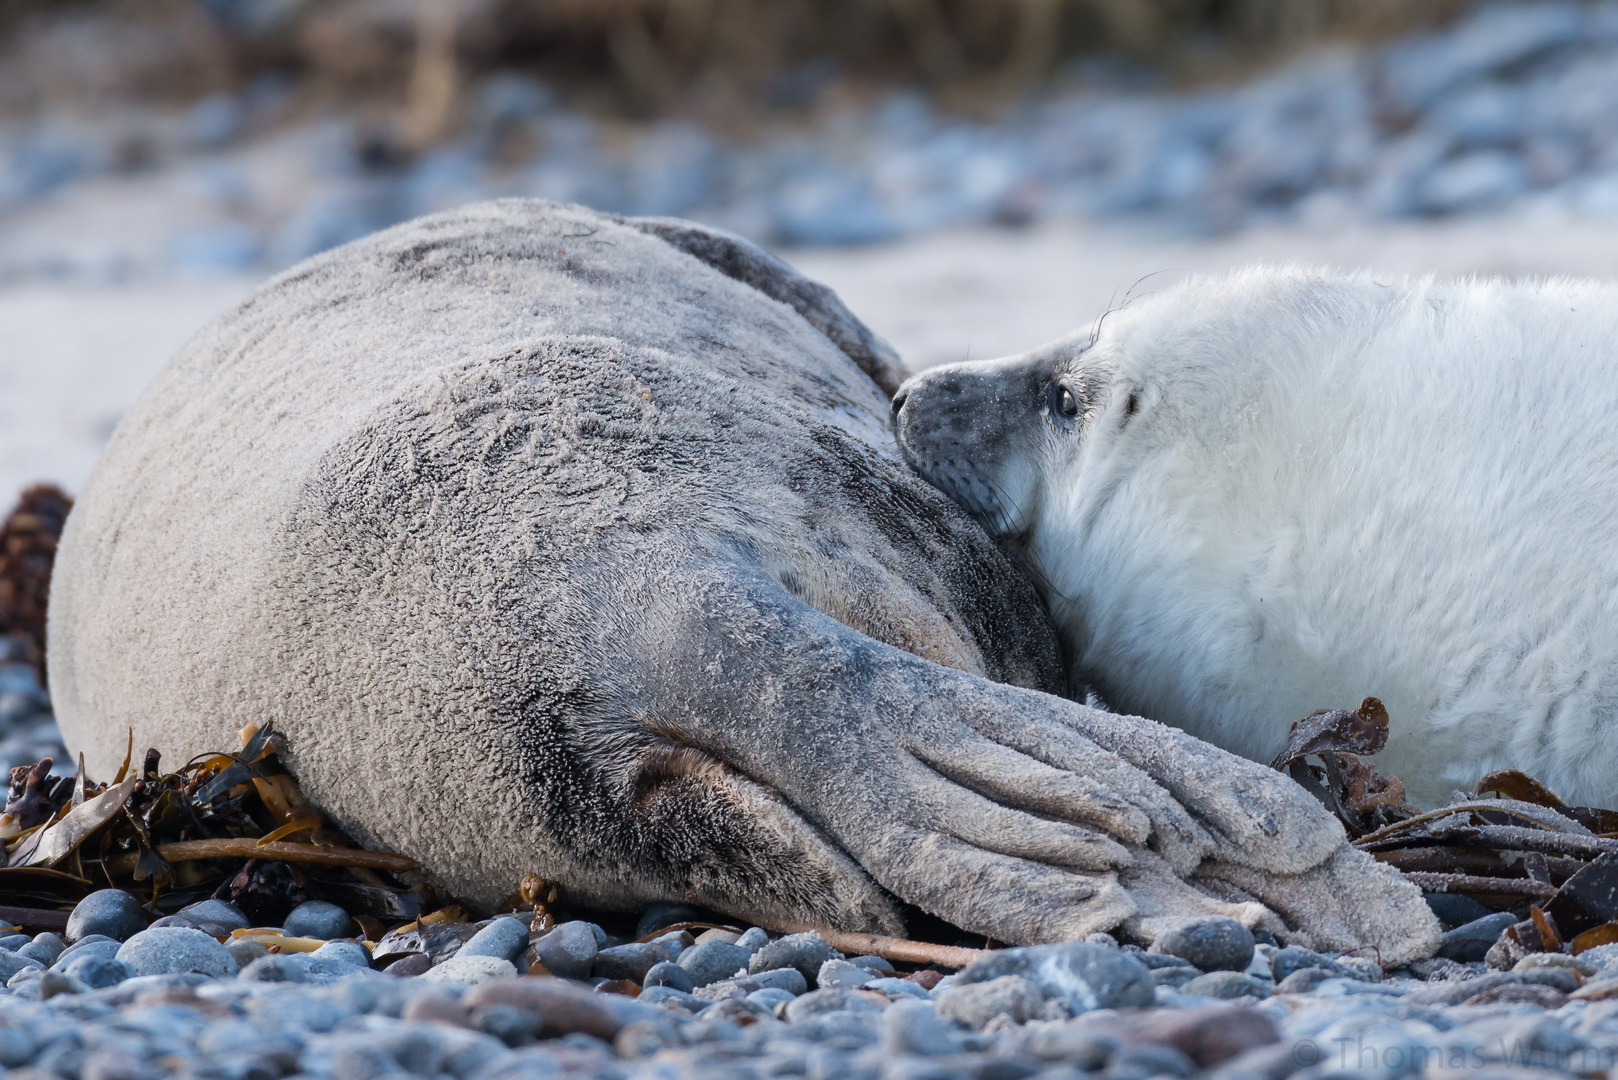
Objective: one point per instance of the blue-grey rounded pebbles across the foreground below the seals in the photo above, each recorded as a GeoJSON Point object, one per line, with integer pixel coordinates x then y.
{"type": "Point", "coordinates": [200, 995]}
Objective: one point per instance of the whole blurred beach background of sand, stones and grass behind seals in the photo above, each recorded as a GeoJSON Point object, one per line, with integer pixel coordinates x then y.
{"type": "Point", "coordinates": [975, 176]}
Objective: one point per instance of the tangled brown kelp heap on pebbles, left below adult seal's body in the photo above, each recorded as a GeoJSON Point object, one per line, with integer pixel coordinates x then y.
{"type": "Point", "coordinates": [231, 827]}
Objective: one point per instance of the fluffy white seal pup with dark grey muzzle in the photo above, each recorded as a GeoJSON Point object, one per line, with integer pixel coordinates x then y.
{"type": "Point", "coordinates": [1255, 496]}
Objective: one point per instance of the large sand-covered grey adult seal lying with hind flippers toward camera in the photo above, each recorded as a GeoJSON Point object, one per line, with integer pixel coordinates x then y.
{"type": "Point", "coordinates": [574, 545]}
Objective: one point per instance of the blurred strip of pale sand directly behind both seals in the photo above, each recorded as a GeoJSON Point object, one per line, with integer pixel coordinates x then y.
{"type": "Point", "coordinates": [74, 359]}
